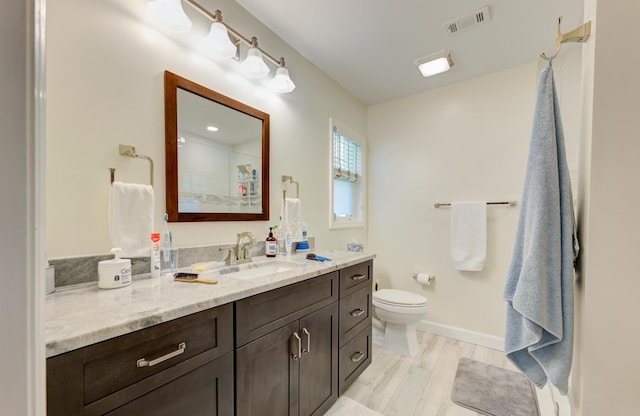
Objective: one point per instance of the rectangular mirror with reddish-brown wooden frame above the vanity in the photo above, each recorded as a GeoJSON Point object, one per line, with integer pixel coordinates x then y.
{"type": "Point", "coordinates": [217, 155]}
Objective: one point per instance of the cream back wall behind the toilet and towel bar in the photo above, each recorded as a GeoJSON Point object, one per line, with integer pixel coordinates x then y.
{"type": "Point", "coordinates": [468, 141]}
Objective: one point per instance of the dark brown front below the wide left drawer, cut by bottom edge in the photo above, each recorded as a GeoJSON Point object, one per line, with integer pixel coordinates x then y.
{"type": "Point", "coordinates": [206, 391]}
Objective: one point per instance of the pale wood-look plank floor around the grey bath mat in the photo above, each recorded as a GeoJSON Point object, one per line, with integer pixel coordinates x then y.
{"type": "Point", "coordinates": [396, 385]}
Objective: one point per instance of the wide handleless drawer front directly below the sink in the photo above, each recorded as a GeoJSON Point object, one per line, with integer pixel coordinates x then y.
{"type": "Point", "coordinates": [261, 314]}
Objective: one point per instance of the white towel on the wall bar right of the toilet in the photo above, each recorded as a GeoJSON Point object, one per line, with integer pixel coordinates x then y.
{"type": "Point", "coordinates": [468, 235]}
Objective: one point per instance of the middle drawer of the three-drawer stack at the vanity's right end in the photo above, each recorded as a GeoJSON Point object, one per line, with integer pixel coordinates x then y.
{"type": "Point", "coordinates": [355, 313]}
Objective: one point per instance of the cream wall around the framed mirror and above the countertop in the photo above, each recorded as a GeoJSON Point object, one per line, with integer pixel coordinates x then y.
{"type": "Point", "coordinates": [105, 87]}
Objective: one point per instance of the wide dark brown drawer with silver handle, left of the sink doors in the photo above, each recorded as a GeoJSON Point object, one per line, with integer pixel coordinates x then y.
{"type": "Point", "coordinates": [114, 364]}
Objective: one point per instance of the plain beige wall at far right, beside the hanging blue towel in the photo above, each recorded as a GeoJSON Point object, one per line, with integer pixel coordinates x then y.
{"type": "Point", "coordinates": [605, 378]}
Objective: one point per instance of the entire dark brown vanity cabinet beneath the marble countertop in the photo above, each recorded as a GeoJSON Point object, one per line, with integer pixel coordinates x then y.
{"type": "Point", "coordinates": [290, 352]}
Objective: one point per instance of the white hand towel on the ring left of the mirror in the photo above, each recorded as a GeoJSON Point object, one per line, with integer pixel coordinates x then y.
{"type": "Point", "coordinates": [131, 218]}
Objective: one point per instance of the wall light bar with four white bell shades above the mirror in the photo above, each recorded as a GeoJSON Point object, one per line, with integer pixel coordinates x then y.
{"type": "Point", "coordinates": [223, 41]}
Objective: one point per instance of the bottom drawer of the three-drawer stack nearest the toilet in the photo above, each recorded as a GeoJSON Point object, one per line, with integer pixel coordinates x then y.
{"type": "Point", "coordinates": [354, 358]}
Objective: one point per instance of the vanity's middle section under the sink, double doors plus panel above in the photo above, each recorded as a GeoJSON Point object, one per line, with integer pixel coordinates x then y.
{"type": "Point", "coordinates": [287, 354]}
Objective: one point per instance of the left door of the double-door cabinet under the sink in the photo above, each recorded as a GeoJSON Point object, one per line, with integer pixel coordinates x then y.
{"type": "Point", "coordinates": [267, 374]}
